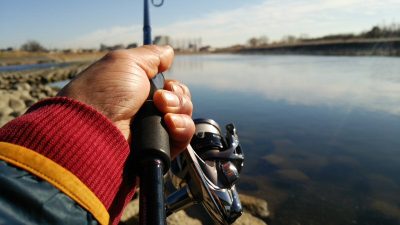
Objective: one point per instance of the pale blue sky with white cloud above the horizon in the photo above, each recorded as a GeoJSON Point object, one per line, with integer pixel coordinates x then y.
{"type": "Point", "coordinates": [219, 23]}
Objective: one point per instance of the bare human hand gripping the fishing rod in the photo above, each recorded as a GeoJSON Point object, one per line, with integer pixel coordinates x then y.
{"type": "Point", "coordinates": [118, 84]}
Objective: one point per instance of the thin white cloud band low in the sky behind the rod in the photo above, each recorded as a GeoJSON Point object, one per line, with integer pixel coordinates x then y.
{"type": "Point", "coordinates": [271, 18]}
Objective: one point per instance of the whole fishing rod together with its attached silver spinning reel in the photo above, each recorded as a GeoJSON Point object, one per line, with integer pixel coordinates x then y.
{"type": "Point", "coordinates": [206, 172]}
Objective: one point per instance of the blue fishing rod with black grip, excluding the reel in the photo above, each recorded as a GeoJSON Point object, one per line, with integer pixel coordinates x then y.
{"type": "Point", "coordinates": [151, 146]}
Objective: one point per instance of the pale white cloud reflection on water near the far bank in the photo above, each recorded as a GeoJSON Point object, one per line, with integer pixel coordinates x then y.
{"type": "Point", "coordinates": [346, 82]}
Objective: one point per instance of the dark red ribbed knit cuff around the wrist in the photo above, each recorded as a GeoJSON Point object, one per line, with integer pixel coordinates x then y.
{"type": "Point", "coordinates": [81, 140]}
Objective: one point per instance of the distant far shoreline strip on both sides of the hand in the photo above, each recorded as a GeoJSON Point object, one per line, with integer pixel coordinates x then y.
{"type": "Point", "coordinates": [351, 47]}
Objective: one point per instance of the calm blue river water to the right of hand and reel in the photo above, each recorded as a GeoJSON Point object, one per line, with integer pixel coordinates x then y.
{"type": "Point", "coordinates": [321, 134]}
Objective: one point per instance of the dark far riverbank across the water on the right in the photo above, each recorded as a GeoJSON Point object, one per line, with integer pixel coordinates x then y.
{"type": "Point", "coordinates": [360, 47]}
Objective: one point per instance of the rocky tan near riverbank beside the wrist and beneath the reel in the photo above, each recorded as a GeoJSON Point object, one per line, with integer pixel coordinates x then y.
{"type": "Point", "coordinates": [21, 89]}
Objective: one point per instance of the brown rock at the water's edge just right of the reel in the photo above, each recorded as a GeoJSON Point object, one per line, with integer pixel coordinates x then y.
{"type": "Point", "coordinates": [255, 206]}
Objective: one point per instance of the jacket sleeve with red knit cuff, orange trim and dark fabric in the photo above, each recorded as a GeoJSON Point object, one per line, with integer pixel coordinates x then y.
{"type": "Point", "coordinates": [76, 150]}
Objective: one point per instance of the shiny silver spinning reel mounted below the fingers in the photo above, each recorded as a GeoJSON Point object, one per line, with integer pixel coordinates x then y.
{"type": "Point", "coordinates": [207, 173]}
